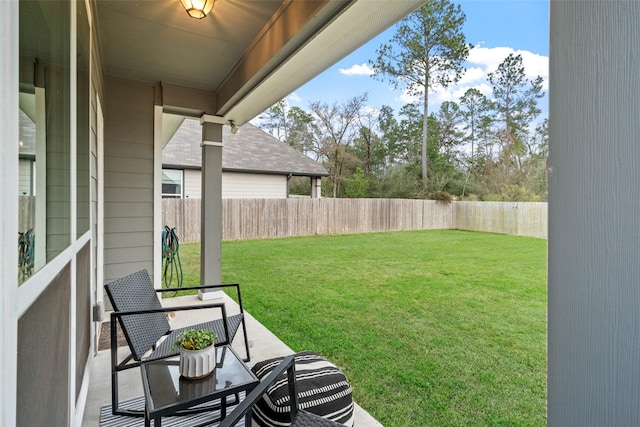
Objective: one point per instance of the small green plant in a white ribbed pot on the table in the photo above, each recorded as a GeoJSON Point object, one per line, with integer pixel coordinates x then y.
{"type": "Point", "coordinates": [197, 352]}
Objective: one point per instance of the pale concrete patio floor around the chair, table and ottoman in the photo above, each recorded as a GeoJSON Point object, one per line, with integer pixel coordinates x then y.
{"type": "Point", "coordinates": [263, 345]}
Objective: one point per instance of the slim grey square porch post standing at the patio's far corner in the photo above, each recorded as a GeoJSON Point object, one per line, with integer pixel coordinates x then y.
{"type": "Point", "coordinates": [211, 213]}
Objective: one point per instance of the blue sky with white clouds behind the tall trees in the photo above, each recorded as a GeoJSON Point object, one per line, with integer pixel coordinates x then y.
{"type": "Point", "coordinates": [495, 27]}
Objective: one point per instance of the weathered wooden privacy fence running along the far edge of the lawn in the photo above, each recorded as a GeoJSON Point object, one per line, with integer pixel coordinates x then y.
{"type": "Point", "coordinates": [268, 218]}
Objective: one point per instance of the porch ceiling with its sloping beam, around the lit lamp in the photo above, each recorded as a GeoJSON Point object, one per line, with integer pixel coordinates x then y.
{"type": "Point", "coordinates": [247, 54]}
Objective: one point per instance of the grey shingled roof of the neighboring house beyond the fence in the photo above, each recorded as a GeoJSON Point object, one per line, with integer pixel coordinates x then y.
{"type": "Point", "coordinates": [250, 150]}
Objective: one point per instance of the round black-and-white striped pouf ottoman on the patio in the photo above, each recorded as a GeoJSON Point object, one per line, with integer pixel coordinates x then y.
{"type": "Point", "coordinates": [322, 389]}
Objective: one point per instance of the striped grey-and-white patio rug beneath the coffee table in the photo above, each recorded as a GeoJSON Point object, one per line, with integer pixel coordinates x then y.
{"type": "Point", "coordinates": [107, 419]}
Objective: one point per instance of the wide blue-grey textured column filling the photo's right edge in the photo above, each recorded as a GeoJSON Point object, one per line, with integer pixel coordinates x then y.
{"type": "Point", "coordinates": [594, 205]}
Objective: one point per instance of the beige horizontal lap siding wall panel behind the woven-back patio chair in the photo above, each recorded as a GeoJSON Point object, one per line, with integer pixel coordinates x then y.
{"type": "Point", "coordinates": [128, 178]}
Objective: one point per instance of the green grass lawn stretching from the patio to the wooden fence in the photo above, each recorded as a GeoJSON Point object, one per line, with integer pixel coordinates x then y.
{"type": "Point", "coordinates": [432, 328]}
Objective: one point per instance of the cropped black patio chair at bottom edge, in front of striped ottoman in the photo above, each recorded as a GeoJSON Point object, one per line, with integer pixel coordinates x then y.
{"type": "Point", "coordinates": [299, 417]}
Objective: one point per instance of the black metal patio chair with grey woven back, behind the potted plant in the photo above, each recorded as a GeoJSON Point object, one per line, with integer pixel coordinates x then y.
{"type": "Point", "coordinates": [143, 321]}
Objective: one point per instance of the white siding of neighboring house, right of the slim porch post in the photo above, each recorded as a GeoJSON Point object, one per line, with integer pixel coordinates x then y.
{"type": "Point", "coordinates": [237, 185]}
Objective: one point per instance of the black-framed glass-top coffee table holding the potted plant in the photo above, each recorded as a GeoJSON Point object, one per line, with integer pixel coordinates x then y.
{"type": "Point", "coordinates": [167, 393]}
